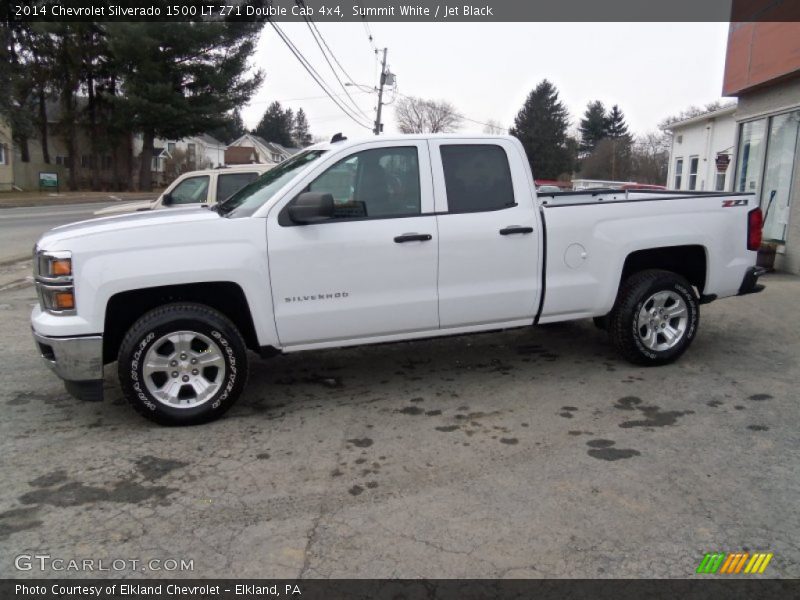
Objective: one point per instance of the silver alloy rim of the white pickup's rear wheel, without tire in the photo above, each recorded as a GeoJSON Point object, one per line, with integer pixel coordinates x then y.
{"type": "Point", "coordinates": [662, 321]}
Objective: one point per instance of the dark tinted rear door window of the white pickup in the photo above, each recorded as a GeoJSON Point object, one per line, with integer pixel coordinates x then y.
{"type": "Point", "coordinates": [477, 178]}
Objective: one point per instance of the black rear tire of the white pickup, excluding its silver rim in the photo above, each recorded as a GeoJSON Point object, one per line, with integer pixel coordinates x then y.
{"type": "Point", "coordinates": [623, 323]}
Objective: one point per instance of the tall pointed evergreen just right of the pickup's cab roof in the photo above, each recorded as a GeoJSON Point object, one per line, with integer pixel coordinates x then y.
{"type": "Point", "coordinates": [541, 126]}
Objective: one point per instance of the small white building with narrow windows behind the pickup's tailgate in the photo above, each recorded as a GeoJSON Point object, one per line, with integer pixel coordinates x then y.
{"type": "Point", "coordinates": [697, 143]}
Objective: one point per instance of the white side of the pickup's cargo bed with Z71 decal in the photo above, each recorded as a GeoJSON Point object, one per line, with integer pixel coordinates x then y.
{"type": "Point", "coordinates": [589, 234]}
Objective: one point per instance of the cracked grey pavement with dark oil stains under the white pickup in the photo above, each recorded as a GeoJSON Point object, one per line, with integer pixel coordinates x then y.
{"type": "Point", "coordinates": [524, 453]}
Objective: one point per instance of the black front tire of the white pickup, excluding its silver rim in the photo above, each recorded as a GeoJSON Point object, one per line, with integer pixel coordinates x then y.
{"type": "Point", "coordinates": [171, 318]}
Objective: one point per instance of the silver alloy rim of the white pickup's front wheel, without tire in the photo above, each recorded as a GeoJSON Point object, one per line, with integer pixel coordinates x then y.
{"type": "Point", "coordinates": [183, 369]}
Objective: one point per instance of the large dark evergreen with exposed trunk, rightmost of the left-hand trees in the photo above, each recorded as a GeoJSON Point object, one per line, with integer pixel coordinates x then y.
{"type": "Point", "coordinates": [181, 81]}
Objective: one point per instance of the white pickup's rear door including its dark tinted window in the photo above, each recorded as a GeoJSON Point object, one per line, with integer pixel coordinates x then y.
{"type": "Point", "coordinates": [488, 233]}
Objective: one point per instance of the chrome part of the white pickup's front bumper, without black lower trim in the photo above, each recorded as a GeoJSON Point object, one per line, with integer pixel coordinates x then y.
{"type": "Point", "coordinates": [74, 358]}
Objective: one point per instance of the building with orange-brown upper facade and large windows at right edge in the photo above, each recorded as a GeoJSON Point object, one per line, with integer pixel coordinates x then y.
{"type": "Point", "coordinates": [762, 70]}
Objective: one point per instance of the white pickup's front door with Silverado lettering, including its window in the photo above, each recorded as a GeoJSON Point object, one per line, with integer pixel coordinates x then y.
{"type": "Point", "coordinates": [370, 271]}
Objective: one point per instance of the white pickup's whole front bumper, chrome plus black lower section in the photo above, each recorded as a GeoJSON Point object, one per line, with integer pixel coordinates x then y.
{"type": "Point", "coordinates": [76, 360]}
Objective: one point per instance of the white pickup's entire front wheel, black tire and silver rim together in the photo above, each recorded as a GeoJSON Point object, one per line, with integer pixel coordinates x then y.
{"type": "Point", "coordinates": [182, 364]}
